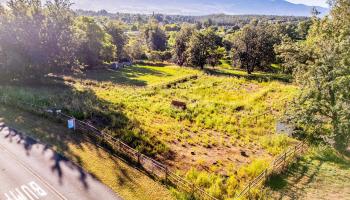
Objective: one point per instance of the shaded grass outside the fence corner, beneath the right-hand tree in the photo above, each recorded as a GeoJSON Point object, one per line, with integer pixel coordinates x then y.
{"type": "Point", "coordinates": [322, 174]}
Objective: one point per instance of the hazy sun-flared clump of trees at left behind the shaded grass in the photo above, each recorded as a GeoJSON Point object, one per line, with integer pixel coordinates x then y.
{"type": "Point", "coordinates": [38, 38]}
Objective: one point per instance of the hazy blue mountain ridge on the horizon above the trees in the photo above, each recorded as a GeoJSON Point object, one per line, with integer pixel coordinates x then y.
{"type": "Point", "coordinates": [200, 7]}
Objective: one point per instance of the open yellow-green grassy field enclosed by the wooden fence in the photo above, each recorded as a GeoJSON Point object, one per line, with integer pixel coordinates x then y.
{"type": "Point", "coordinates": [220, 140]}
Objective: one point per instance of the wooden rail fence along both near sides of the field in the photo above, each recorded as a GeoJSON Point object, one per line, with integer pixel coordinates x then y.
{"type": "Point", "coordinates": [156, 168]}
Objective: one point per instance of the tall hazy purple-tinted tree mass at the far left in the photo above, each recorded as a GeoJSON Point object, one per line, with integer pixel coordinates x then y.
{"type": "Point", "coordinates": [36, 38]}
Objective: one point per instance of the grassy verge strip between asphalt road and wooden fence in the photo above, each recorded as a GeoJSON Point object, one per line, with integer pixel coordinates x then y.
{"type": "Point", "coordinates": [128, 182]}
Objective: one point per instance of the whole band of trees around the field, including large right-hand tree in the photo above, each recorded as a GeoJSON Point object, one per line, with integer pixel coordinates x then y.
{"type": "Point", "coordinates": [36, 39]}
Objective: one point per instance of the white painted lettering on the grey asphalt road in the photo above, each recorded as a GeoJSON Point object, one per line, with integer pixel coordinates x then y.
{"type": "Point", "coordinates": [30, 191]}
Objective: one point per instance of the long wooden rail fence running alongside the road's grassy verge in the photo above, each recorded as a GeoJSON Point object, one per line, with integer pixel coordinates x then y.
{"type": "Point", "coordinates": [151, 166]}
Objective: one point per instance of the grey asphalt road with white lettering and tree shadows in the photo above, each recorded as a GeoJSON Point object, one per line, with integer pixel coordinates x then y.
{"type": "Point", "coordinates": [32, 171]}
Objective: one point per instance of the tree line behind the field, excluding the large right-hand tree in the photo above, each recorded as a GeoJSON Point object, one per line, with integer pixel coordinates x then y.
{"type": "Point", "coordinates": [42, 38]}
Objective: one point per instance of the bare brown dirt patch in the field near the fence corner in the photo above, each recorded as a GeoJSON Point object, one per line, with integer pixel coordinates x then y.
{"type": "Point", "coordinates": [219, 159]}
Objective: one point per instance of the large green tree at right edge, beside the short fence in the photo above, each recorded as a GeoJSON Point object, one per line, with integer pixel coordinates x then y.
{"type": "Point", "coordinates": [323, 109]}
